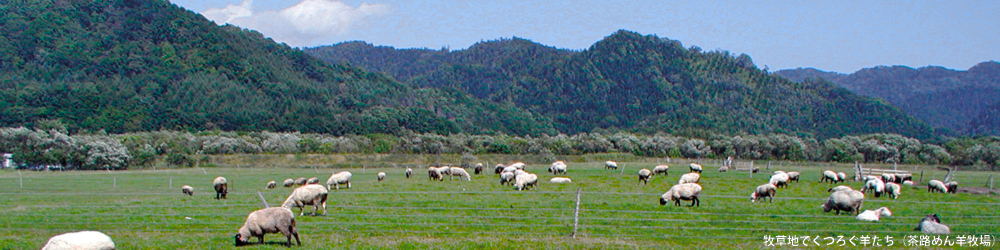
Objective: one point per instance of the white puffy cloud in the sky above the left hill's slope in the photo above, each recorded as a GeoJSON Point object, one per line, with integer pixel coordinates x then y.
{"type": "Point", "coordinates": [310, 22]}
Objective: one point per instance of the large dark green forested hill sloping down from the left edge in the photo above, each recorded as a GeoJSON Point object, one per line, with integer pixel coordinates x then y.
{"type": "Point", "coordinates": [125, 65]}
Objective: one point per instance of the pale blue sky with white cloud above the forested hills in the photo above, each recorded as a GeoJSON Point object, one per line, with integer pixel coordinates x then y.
{"type": "Point", "coordinates": [842, 36]}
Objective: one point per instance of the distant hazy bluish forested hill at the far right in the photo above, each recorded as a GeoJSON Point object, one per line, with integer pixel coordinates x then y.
{"type": "Point", "coordinates": [957, 100]}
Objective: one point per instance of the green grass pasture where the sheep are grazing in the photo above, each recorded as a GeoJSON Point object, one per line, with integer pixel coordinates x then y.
{"type": "Point", "coordinates": [144, 209]}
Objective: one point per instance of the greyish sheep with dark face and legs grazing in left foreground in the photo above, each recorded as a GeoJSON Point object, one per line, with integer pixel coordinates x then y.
{"type": "Point", "coordinates": [268, 220]}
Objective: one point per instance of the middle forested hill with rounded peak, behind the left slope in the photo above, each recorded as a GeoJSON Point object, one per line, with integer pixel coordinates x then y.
{"type": "Point", "coordinates": [635, 82]}
